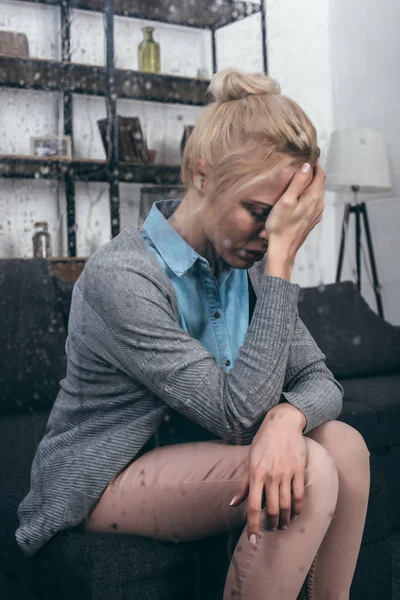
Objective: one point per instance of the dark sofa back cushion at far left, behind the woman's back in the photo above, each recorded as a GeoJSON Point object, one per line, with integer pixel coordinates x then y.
{"type": "Point", "coordinates": [32, 337]}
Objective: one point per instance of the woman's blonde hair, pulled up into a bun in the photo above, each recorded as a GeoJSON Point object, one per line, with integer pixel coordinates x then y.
{"type": "Point", "coordinates": [247, 130]}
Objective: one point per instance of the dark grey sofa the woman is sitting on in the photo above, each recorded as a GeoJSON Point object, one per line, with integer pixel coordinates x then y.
{"type": "Point", "coordinates": [33, 322]}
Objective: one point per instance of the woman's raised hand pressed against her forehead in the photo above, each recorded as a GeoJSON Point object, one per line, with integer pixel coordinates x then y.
{"type": "Point", "coordinates": [296, 213]}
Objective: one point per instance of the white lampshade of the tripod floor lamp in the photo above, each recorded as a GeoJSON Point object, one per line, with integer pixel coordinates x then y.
{"type": "Point", "coordinates": [357, 157]}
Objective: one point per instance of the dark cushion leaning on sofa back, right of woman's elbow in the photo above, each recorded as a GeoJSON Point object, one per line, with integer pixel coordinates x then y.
{"type": "Point", "coordinates": [355, 340]}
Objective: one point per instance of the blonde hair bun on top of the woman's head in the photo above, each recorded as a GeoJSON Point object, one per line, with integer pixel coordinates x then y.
{"type": "Point", "coordinates": [231, 84]}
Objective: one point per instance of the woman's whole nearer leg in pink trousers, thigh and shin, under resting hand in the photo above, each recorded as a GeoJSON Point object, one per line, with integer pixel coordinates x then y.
{"type": "Point", "coordinates": [181, 493]}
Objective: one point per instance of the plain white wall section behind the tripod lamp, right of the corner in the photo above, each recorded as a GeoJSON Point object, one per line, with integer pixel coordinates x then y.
{"type": "Point", "coordinates": [365, 50]}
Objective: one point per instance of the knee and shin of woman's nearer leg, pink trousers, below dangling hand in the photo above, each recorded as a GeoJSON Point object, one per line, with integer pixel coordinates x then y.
{"type": "Point", "coordinates": [275, 568]}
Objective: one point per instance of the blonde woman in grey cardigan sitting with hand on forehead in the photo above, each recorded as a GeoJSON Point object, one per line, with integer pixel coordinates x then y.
{"type": "Point", "coordinates": [192, 319]}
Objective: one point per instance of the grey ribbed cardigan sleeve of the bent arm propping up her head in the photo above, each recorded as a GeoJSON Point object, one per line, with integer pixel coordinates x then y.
{"type": "Point", "coordinates": [132, 325]}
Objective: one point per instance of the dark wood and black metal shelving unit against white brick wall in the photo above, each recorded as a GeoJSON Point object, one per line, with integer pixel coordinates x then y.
{"type": "Point", "coordinates": [70, 78]}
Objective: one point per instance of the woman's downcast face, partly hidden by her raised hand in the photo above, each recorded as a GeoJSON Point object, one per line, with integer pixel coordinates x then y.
{"type": "Point", "coordinates": [235, 222]}
